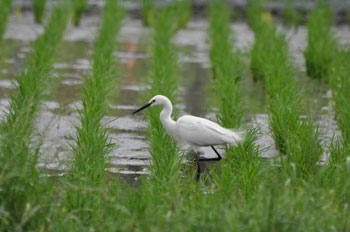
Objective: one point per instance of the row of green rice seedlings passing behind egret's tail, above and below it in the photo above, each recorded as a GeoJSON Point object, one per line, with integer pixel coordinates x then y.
{"type": "Point", "coordinates": [228, 69]}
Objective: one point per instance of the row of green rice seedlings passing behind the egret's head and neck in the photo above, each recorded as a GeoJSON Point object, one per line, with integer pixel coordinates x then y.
{"type": "Point", "coordinates": [165, 81]}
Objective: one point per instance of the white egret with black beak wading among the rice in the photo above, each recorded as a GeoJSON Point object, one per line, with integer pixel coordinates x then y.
{"type": "Point", "coordinates": [193, 131]}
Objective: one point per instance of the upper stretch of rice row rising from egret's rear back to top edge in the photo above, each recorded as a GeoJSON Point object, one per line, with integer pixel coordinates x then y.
{"type": "Point", "coordinates": [227, 67]}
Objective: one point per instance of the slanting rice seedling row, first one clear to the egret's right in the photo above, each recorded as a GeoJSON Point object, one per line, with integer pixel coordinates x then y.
{"type": "Point", "coordinates": [295, 137]}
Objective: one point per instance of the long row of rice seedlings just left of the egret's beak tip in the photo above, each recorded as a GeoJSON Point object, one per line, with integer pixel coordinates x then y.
{"type": "Point", "coordinates": [93, 143]}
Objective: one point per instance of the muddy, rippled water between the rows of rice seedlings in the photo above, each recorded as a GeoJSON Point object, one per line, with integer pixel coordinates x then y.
{"type": "Point", "coordinates": [55, 122]}
